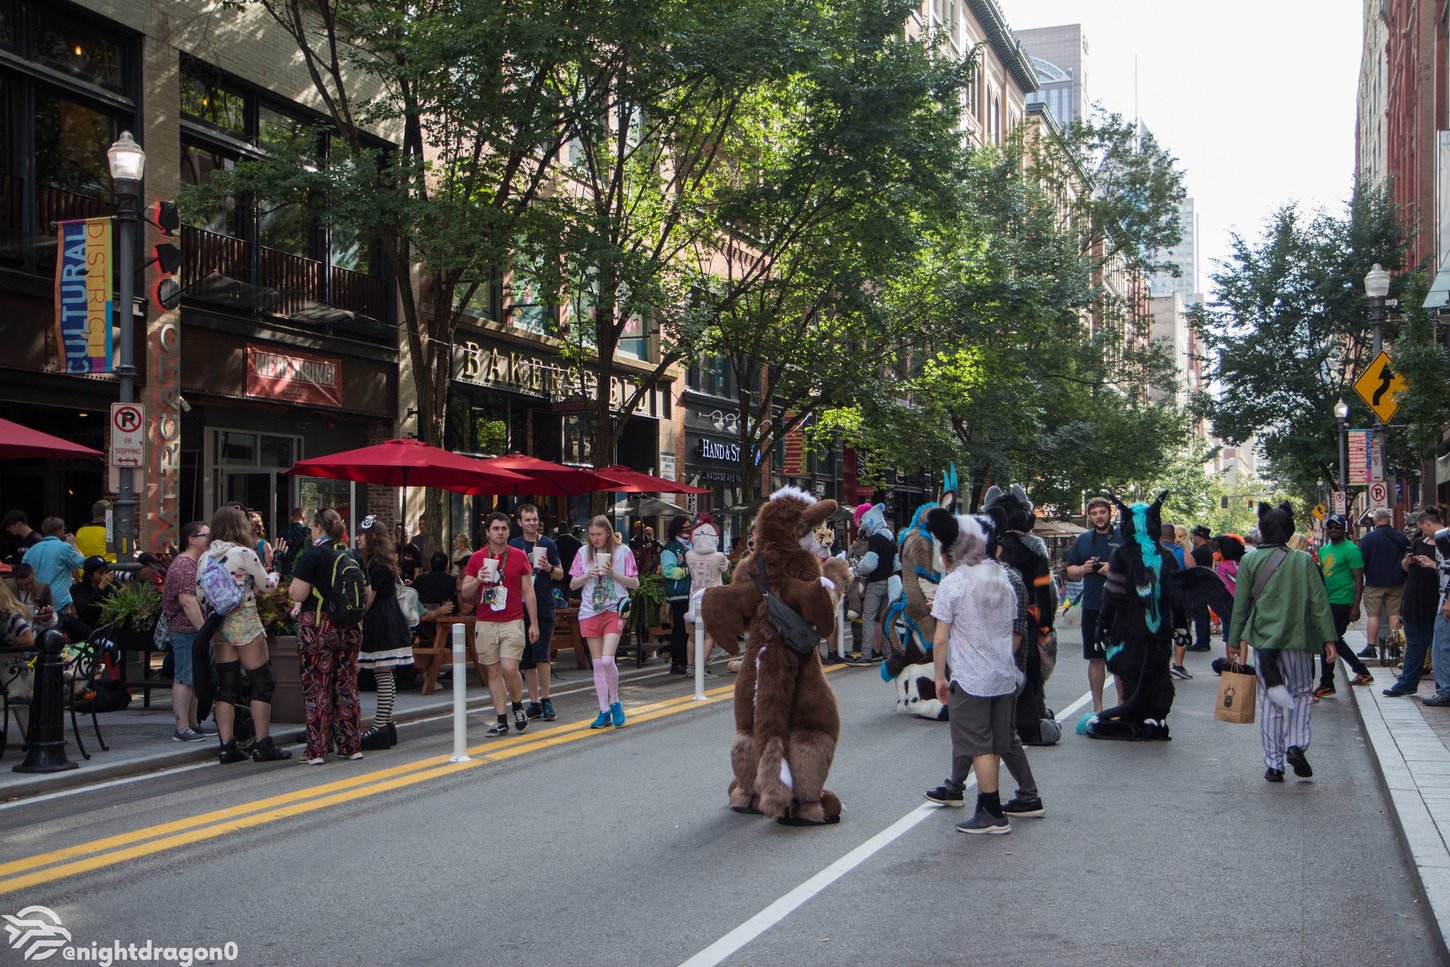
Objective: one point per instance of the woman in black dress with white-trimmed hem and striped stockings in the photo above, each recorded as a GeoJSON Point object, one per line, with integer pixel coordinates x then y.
{"type": "Point", "coordinates": [388, 642]}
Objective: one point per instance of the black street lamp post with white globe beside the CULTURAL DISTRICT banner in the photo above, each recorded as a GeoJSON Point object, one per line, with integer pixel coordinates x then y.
{"type": "Point", "coordinates": [128, 165]}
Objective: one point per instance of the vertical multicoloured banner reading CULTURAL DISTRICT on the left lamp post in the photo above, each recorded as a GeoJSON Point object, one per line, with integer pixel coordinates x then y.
{"type": "Point", "coordinates": [83, 296]}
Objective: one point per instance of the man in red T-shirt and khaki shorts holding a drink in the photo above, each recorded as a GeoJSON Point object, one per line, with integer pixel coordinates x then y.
{"type": "Point", "coordinates": [502, 592]}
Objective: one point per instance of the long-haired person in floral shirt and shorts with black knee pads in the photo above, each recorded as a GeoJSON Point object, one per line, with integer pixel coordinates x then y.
{"type": "Point", "coordinates": [240, 640]}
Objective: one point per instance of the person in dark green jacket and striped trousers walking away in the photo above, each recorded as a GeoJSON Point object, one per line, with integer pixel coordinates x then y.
{"type": "Point", "coordinates": [1287, 618]}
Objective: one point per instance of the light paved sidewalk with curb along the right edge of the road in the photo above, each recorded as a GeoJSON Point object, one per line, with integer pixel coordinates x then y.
{"type": "Point", "coordinates": [1412, 747]}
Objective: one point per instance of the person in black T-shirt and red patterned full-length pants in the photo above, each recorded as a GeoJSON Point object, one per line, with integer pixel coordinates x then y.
{"type": "Point", "coordinates": [327, 655]}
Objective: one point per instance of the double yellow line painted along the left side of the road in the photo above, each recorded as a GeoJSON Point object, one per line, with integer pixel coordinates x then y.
{"type": "Point", "coordinates": [57, 865]}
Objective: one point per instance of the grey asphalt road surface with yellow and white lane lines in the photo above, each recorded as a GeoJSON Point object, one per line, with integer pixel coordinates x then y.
{"type": "Point", "coordinates": [569, 847]}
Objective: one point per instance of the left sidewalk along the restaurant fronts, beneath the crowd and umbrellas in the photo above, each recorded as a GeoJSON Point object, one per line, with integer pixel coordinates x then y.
{"type": "Point", "coordinates": [141, 740]}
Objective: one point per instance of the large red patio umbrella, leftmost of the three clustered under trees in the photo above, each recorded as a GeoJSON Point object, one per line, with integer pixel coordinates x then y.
{"type": "Point", "coordinates": [411, 463]}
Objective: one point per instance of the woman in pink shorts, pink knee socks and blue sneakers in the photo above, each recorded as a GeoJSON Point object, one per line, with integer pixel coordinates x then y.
{"type": "Point", "coordinates": [604, 573]}
